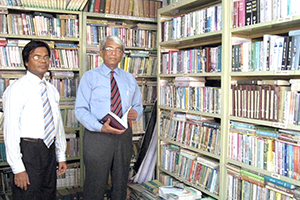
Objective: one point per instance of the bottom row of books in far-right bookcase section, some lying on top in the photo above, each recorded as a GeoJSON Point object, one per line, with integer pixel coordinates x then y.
{"type": "Point", "coordinates": [247, 185]}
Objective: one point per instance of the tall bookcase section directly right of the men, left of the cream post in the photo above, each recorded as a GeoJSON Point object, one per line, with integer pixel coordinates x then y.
{"type": "Point", "coordinates": [184, 75]}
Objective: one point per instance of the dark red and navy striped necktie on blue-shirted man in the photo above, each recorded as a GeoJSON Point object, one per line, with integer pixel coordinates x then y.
{"type": "Point", "coordinates": [115, 98]}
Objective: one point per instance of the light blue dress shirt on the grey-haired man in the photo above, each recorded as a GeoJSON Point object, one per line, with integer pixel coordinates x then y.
{"type": "Point", "coordinates": [93, 95]}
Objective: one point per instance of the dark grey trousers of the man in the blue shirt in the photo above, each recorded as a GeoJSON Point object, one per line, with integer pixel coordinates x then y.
{"type": "Point", "coordinates": [103, 153]}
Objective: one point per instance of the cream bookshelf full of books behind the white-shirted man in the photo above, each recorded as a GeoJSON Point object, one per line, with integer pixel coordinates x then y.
{"type": "Point", "coordinates": [61, 29]}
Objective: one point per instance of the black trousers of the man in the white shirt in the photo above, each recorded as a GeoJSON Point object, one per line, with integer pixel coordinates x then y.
{"type": "Point", "coordinates": [40, 164]}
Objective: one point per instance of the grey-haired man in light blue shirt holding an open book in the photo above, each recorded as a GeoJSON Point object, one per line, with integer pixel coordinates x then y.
{"type": "Point", "coordinates": [106, 148]}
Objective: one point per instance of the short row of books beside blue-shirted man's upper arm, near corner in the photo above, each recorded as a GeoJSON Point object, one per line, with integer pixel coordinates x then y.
{"type": "Point", "coordinates": [148, 90]}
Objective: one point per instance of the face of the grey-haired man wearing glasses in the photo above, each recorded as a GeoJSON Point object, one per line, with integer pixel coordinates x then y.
{"type": "Point", "coordinates": [112, 54]}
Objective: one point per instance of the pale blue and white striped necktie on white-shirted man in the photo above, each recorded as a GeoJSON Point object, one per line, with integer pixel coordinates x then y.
{"type": "Point", "coordinates": [48, 117]}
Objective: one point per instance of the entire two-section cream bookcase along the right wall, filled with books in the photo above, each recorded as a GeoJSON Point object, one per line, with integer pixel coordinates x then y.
{"type": "Point", "coordinates": [244, 170]}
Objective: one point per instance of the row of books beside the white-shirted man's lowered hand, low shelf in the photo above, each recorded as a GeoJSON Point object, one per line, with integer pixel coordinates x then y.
{"type": "Point", "coordinates": [71, 178]}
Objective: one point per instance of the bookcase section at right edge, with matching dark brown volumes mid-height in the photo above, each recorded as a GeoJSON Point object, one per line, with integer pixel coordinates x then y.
{"type": "Point", "coordinates": [272, 128]}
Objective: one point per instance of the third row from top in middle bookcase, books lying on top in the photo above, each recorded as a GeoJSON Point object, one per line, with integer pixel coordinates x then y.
{"type": "Point", "coordinates": [190, 94]}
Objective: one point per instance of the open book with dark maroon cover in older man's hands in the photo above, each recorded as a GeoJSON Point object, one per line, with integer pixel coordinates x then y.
{"type": "Point", "coordinates": [115, 120]}
